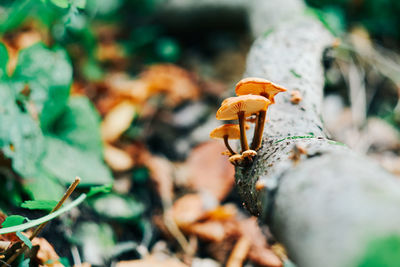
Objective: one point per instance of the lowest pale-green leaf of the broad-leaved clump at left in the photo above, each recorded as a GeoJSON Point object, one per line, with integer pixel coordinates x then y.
{"type": "Point", "coordinates": [65, 161]}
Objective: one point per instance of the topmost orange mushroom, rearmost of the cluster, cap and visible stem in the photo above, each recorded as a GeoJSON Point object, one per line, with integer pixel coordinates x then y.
{"type": "Point", "coordinates": [262, 87]}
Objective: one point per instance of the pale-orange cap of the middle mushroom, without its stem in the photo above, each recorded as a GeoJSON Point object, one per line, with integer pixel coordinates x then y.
{"type": "Point", "coordinates": [248, 103]}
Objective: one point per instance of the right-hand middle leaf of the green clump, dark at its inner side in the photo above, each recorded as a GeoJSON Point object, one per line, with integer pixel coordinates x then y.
{"type": "Point", "coordinates": [79, 125]}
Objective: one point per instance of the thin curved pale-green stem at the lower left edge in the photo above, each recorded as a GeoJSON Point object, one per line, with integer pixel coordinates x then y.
{"type": "Point", "coordinates": [33, 223]}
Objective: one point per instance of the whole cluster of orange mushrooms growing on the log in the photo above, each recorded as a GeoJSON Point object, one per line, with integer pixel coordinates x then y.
{"type": "Point", "coordinates": [254, 95]}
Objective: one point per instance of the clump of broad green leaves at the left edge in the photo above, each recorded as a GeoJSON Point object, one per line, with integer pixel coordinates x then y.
{"type": "Point", "coordinates": [62, 140]}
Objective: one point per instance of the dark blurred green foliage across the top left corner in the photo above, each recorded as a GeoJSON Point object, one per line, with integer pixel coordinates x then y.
{"type": "Point", "coordinates": [75, 25]}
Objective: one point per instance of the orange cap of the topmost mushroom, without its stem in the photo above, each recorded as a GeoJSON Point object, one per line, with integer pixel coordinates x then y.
{"type": "Point", "coordinates": [258, 86]}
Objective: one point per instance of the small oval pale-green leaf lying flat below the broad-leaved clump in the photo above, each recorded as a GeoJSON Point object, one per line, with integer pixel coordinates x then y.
{"type": "Point", "coordinates": [117, 207]}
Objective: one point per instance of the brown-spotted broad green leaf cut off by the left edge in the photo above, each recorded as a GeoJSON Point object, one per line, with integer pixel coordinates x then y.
{"type": "Point", "coordinates": [20, 137]}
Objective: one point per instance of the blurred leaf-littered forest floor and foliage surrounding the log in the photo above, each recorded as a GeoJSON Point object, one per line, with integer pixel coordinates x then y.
{"type": "Point", "coordinates": [124, 92]}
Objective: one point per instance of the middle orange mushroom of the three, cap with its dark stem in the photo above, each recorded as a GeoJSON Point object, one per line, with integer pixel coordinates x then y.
{"type": "Point", "coordinates": [238, 108]}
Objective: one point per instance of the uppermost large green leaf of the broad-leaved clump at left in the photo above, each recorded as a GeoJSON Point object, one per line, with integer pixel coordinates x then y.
{"type": "Point", "coordinates": [48, 74]}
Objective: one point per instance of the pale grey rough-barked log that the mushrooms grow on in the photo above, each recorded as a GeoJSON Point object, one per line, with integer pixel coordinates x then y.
{"type": "Point", "coordinates": [330, 205]}
